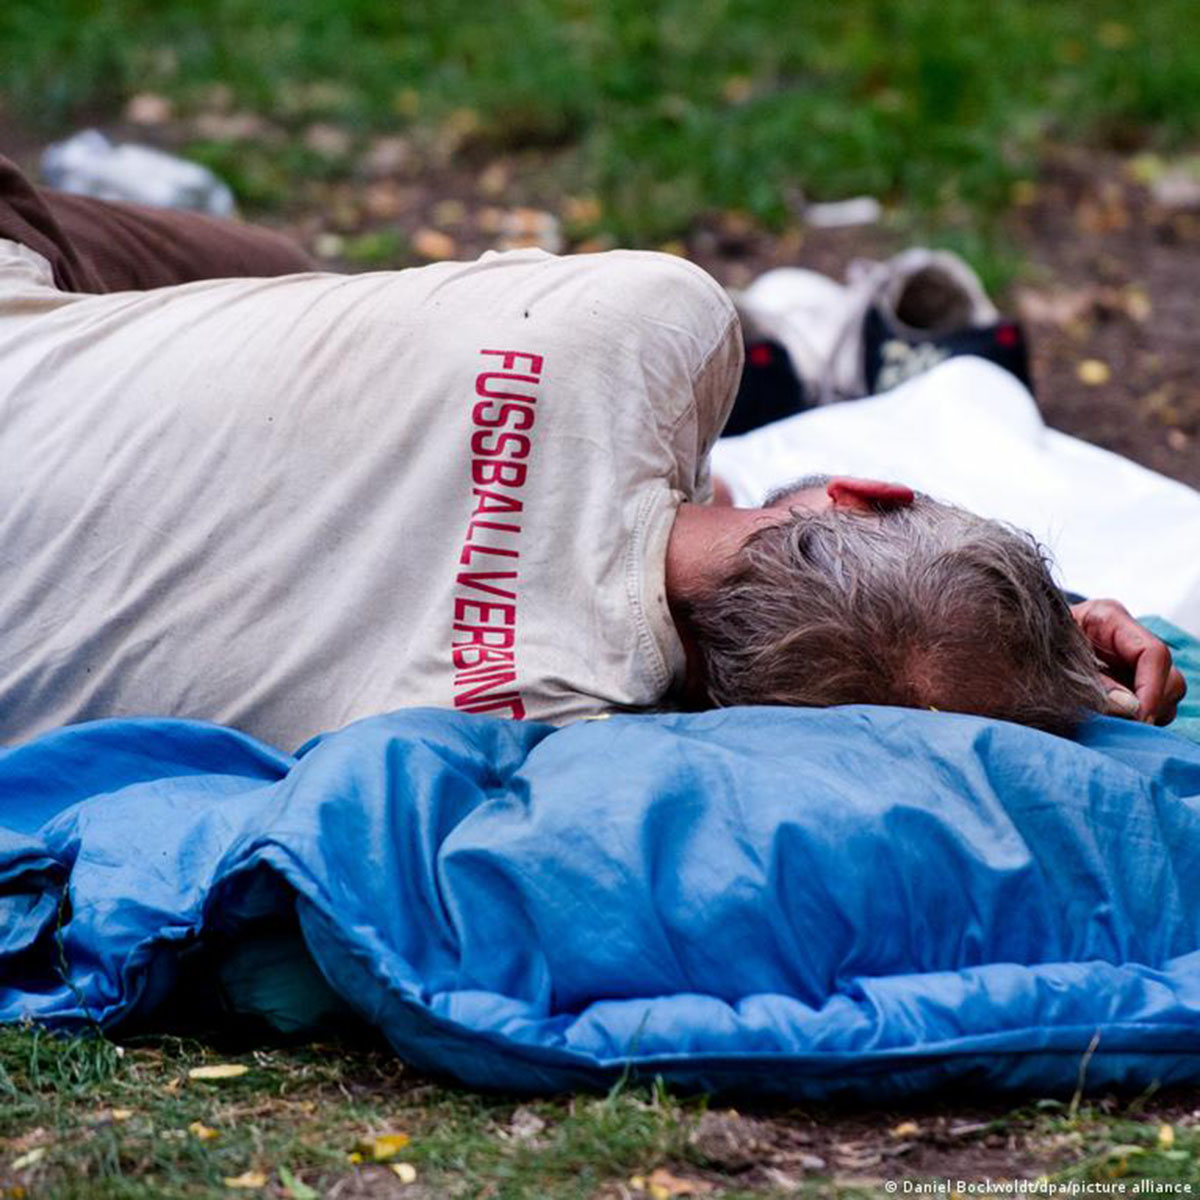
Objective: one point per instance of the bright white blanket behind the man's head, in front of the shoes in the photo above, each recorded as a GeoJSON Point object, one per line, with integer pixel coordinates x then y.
{"type": "Point", "coordinates": [970, 434]}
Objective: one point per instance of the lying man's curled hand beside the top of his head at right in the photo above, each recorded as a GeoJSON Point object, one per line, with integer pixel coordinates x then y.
{"type": "Point", "coordinates": [1142, 681]}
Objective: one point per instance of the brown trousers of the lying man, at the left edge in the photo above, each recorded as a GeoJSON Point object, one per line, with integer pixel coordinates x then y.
{"type": "Point", "coordinates": [98, 247]}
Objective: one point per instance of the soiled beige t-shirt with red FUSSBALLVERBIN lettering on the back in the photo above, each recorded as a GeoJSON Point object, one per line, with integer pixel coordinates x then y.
{"type": "Point", "coordinates": [285, 505]}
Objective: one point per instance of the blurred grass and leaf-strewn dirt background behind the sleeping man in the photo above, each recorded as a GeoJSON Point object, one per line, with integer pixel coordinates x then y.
{"type": "Point", "coordinates": [1057, 146]}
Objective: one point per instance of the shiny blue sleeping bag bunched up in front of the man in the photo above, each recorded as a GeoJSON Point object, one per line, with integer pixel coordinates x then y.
{"type": "Point", "coordinates": [797, 903]}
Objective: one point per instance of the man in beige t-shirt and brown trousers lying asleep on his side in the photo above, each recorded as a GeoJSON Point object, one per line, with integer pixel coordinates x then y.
{"type": "Point", "coordinates": [286, 500]}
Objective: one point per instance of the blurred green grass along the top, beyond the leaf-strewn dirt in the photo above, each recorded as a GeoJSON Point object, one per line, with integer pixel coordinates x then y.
{"type": "Point", "coordinates": [662, 111]}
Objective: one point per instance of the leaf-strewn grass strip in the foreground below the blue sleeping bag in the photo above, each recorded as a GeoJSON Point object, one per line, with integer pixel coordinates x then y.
{"type": "Point", "coordinates": [92, 1120]}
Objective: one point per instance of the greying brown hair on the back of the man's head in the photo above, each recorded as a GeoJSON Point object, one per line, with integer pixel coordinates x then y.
{"type": "Point", "coordinates": [927, 607]}
